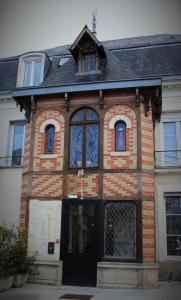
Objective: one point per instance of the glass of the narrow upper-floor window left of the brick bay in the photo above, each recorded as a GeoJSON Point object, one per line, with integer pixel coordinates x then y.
{"type": "Point", "coordinates": [17, 144]}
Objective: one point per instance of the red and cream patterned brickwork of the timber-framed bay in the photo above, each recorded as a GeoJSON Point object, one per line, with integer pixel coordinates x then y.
{"type": "Point", "coordinates": [119, 177]}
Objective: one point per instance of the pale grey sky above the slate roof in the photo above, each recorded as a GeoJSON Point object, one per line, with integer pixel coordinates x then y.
{"type": "Point", "coordinates": [27, 25]}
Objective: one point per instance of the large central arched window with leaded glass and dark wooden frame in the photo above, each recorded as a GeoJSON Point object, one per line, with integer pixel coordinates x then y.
{"type": "Point", "coordinates": [84, 136]}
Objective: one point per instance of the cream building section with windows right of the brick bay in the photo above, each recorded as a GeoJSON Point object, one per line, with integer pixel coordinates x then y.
{"type": "Point", "coordinates": [168, 179]}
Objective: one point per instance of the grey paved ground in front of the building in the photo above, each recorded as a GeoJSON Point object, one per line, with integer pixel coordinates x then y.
{"type": "Point", "coordinates": [166, 291]}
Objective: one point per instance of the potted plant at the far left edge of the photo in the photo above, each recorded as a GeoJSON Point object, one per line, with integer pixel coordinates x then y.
{"type": "Point", "coordinates": [7, 242]}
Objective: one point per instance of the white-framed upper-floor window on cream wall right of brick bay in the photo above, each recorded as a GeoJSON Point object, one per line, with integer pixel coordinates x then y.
{"type": "Point", "coordinates": [172, 143]}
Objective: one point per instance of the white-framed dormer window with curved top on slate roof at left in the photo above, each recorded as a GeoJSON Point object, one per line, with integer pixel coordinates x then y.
{"type": "Point", "coordinates": [31, 69]}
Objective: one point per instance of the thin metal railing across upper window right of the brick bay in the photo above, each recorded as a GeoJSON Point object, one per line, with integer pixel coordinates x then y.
{"type": "Point", "coordinates": [168, 159]}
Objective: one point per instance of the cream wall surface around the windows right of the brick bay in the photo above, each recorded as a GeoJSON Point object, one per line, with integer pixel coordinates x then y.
{"type": "Point", "coordinates": [167, 180]}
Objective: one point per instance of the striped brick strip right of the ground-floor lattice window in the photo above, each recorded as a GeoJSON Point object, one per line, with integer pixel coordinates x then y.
{"type": "Point", "coordinates": [148, 223]}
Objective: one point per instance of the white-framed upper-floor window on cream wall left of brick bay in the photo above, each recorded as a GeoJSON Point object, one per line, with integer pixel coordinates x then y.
{"type": "Point", "coordinates": [17, 143]}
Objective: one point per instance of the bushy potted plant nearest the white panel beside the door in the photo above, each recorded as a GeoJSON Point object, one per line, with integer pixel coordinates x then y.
{"type": "Point", "coordinates": [23, 264]}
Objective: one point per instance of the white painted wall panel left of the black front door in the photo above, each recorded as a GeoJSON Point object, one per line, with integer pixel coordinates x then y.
{"type": "Point", "coordinates": [44, 227]}
